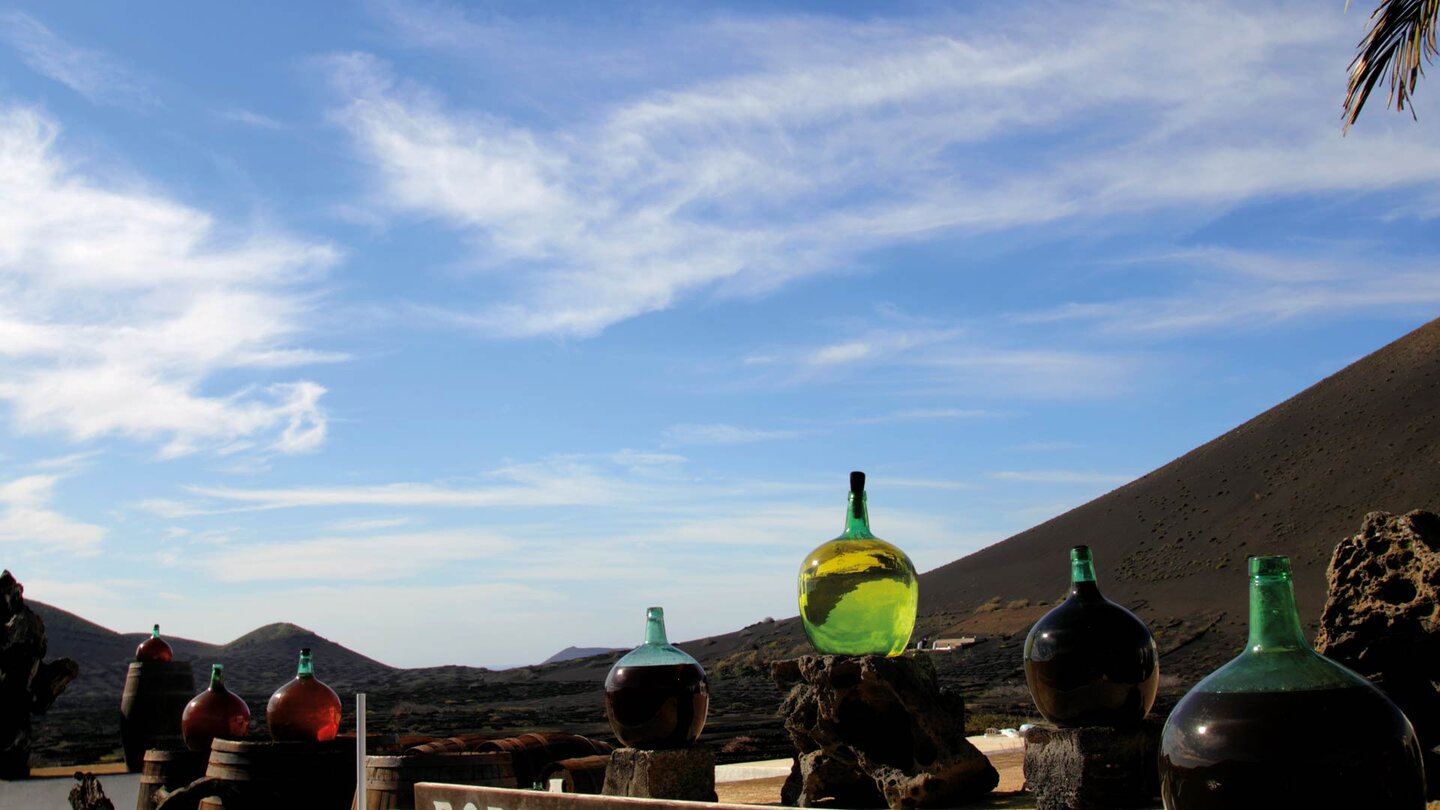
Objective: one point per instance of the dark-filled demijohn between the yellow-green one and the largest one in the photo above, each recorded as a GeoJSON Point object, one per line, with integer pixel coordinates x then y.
{"type": "Point", "coordinates": [1089, 661]}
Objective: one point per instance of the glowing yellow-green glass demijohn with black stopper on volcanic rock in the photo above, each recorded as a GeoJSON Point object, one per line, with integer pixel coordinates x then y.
{"type": "Point", "coordinates": [859, 593]}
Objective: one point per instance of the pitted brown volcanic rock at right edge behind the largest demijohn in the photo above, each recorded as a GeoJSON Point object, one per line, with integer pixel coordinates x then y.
{"type": "Point", "coordinates": [1383, 618]}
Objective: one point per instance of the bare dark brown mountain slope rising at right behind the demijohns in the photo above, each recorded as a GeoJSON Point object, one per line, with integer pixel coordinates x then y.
{"type": "Point", "coordinates": [1294, 481]}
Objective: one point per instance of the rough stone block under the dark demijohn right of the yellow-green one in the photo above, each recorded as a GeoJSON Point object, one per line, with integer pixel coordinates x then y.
{"type": "Point", "coordinates": [1094, 769]}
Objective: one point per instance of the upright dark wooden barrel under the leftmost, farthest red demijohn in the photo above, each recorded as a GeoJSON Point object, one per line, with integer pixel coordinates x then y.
{"type": "Point", "coordinates": [150, 708]}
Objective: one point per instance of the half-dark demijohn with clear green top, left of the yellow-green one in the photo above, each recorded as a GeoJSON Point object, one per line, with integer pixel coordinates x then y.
{"type": "Point", "coordinates": [657, 697]}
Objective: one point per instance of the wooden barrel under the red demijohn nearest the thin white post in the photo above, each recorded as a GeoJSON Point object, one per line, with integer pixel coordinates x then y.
{"type": "Point", "coordinates": [316, 776]}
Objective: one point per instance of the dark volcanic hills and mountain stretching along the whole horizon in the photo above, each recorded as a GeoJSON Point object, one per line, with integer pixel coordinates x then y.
{"type": "Point", "coordinates": [1171, 546]}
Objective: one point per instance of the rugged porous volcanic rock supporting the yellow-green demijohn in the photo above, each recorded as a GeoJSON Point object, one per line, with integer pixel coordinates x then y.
{"type": "Point", "coordinates": [858, 720]}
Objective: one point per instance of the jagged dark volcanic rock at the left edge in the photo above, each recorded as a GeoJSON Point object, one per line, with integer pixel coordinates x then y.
{"type": "Point", "coordinates": [28, 685]}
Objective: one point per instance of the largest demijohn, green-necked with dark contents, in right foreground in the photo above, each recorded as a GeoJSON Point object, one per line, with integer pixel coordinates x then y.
{"type": "Point", "coordinates": [1284, 727]}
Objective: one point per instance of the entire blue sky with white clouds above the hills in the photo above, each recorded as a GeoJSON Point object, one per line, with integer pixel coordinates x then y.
{"type": "Point", "coordinates": [462, 334]}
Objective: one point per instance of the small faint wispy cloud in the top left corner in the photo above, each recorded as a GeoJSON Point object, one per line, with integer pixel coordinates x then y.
{"type": "Point", "coordinates": [93, 74]}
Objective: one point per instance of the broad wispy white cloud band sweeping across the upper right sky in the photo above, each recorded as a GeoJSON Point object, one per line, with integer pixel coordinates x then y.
{"type": "Point", "coordinates": [822, 152]}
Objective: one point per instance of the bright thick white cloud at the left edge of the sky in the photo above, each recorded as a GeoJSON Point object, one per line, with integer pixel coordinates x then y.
{"type": "Point", "coordinates": [119, 306]}
